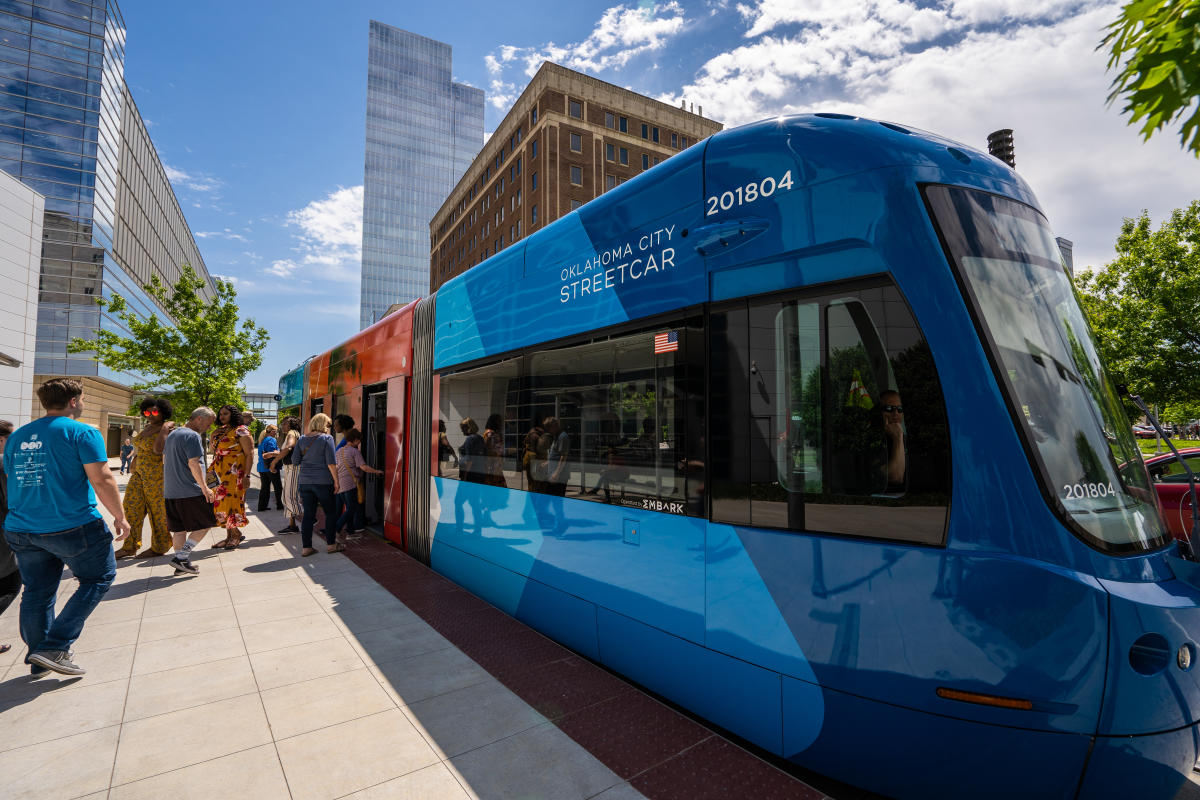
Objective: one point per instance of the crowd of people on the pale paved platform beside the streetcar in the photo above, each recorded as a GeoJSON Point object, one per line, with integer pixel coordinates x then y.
{"type": "Point", "coordinates": [184, 479]}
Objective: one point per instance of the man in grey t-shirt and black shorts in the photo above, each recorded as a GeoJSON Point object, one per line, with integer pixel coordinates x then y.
{"type": "Point", "coordinates": [188, 497]}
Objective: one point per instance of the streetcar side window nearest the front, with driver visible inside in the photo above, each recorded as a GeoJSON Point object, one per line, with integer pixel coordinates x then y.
{"type": "Point", "coordinates": [833, 418]}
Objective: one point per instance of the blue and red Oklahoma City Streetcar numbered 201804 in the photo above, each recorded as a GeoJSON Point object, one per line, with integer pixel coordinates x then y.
{"type": "Point", "coordinates": [805, 431]}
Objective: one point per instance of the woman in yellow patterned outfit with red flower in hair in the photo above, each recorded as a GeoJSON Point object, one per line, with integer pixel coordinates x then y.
{"type": "Point", "coordinates": [143, 494]}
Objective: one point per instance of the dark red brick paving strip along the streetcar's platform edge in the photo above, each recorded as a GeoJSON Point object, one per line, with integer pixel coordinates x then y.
{"type": "Point", "coordinates": [661, 753]}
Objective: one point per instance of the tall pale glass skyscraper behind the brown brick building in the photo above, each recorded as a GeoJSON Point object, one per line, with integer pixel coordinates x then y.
{"type": "Point", "coordinates": [423, 133]}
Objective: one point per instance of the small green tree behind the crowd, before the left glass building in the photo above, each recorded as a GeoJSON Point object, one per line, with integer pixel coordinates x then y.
{"type": "Point", "coordinates": [202, 360]}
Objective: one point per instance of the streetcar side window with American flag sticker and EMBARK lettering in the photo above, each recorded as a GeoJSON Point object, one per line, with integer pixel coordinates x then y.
{"type": "Point", "coordinates": [619, 420]}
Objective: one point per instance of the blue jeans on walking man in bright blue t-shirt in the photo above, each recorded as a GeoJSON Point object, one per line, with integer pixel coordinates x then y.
{"type": "Point", "coordinates": [88, 551]}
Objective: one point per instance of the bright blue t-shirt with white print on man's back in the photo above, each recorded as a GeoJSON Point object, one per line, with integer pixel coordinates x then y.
{"type": "Point", "coordinates": [49, 488]}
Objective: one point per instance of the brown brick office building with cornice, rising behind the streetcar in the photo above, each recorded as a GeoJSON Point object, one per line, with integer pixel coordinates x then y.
{"type": "Point", "coordinates": [567, 140]}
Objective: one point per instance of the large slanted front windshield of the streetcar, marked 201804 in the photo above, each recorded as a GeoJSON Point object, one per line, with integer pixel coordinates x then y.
{"type": "Point", "coordinates": [1079, 435]}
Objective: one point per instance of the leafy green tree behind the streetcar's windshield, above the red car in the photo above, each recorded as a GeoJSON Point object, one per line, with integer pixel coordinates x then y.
{"type": "Point", "coordinates": [1145, 308]}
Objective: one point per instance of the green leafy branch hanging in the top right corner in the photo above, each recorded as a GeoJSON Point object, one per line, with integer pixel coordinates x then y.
{"type": "Point", "coordinates": [1155, 46]}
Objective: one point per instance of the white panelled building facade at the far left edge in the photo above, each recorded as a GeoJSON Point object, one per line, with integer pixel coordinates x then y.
{"type": "Point", "coordinates": [21, 245]}
